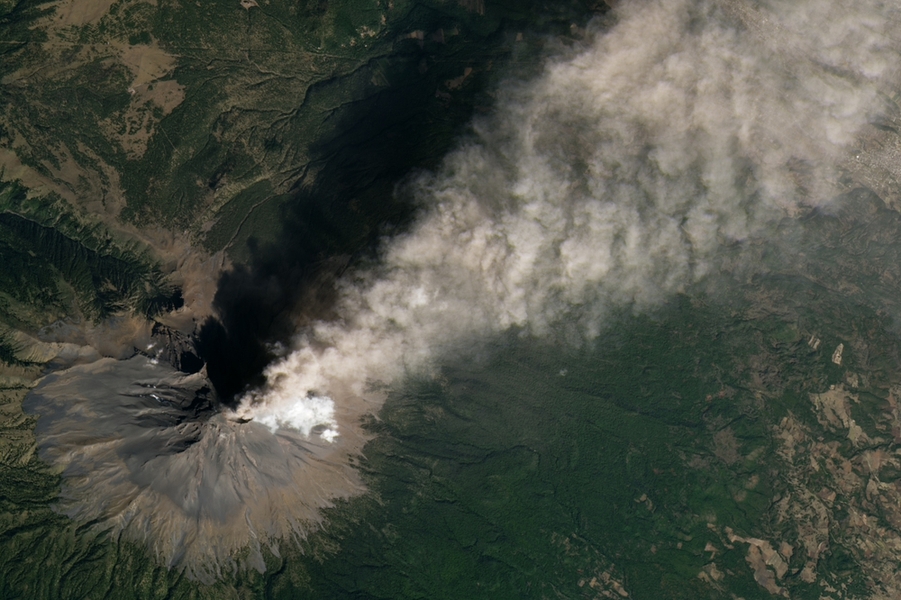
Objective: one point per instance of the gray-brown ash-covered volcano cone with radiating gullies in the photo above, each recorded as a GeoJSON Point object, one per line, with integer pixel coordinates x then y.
{"type": "Point", "coordinates": [148, 455]}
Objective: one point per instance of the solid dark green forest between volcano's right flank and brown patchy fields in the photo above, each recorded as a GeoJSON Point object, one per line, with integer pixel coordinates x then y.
{"type": "Point", "coordinates": [544, 472]}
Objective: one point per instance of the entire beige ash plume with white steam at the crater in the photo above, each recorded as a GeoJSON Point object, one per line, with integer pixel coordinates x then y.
{"type": "Point", "coordinates": [611, 180]}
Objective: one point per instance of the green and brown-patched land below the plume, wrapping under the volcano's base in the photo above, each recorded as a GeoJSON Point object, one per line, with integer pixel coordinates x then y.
{"type": "Point", "coordinates": [656, 462]}
